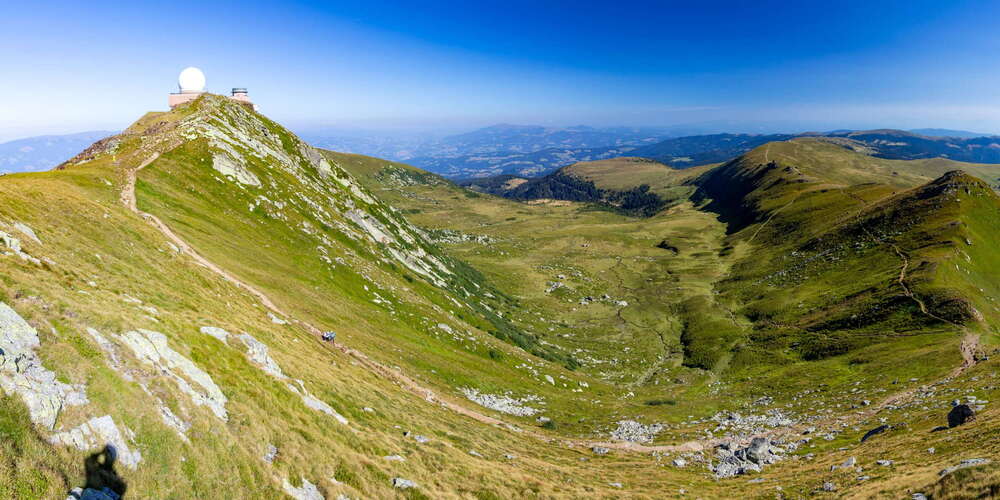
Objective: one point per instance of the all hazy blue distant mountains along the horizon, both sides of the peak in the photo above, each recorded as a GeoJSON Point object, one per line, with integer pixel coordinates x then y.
{"type": "Point", "coordinates": [534, 151]}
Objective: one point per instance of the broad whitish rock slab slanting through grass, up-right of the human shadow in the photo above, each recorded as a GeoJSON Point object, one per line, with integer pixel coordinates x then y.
{"type": "Point", "coordinates": [151, 347]}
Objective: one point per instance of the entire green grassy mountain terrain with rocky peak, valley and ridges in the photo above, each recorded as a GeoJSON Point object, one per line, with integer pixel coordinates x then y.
{"type": "Point", "coordinates": [166, 290]}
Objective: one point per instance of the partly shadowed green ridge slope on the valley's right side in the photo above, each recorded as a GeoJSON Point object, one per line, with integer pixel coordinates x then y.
{"type": "Point", "coordinates": [834, 231]}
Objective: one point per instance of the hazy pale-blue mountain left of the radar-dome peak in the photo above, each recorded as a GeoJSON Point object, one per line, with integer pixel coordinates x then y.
{"type": "Point", "coordinates": [44, 152]}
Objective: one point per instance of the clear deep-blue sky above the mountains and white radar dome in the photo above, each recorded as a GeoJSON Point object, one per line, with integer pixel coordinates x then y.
{"type": "Point", "coordinates": [451, 65]}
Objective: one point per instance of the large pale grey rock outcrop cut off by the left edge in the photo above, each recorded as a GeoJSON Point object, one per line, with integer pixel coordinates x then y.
{"type": "Point", "coordinates": [22, 373]}
